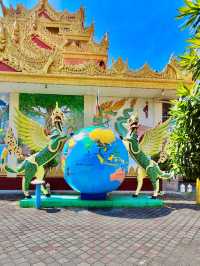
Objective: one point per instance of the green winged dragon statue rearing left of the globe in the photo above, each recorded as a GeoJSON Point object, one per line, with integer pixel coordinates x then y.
{"type": "Point", "coordinates": [47, 148]}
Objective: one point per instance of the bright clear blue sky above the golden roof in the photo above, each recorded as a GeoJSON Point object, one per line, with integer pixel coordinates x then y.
{"type": "Point", "coordinates": [144, 31]}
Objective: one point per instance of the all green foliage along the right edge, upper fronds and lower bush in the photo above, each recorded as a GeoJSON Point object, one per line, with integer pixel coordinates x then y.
{"type": "Point", "coordinates": [184, 147]}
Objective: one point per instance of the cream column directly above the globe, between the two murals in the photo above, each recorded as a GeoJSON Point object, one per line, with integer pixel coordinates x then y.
{"type": "Point", "coordinates": [89, 109]}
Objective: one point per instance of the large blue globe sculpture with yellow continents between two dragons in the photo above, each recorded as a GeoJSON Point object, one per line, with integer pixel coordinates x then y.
{"type": "Point", "coordinates": [95, 162]}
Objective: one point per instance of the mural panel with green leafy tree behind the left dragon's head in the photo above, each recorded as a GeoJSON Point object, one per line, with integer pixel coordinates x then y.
{"type": "Point", "coordinates": [39, 107]}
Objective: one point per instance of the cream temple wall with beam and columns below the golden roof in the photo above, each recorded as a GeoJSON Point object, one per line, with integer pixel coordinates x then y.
{"type": "Point", "coordinates": [142, 98]}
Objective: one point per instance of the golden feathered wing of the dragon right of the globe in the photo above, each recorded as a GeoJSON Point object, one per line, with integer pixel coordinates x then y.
{"type": "Point", "coordinates": [153, 139]}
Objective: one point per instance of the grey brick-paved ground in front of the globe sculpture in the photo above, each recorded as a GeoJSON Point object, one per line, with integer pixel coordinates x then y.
{"type": "Point", "coordinates": [166, 236]}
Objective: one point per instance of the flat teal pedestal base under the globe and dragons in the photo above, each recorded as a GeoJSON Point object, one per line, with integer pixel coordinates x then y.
{"type": "Point", "coordinates": [112, 201]}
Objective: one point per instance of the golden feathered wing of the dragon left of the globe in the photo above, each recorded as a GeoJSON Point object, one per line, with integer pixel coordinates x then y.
{"type": "Point", "coordinates": [31, 132]}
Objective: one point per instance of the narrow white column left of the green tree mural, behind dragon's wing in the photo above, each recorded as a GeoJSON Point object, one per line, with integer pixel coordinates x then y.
{"type": "Point", "coordinates": [13, 105]}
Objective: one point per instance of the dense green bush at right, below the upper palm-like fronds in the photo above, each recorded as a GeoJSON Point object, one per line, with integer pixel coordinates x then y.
{"type": "Point", "coordinates": [185, 139]}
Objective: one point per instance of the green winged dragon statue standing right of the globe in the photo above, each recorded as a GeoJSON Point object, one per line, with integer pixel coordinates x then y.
{"type": "Point", "coordinates": [150, 145]}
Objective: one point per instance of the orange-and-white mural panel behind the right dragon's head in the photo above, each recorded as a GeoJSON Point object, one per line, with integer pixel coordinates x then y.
{"type": "Point", "coordinates": [112, 108]}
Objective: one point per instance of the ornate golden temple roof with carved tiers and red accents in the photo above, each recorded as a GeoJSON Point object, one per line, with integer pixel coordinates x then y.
{"type": "Point", "coordinates": [43, 41]}
